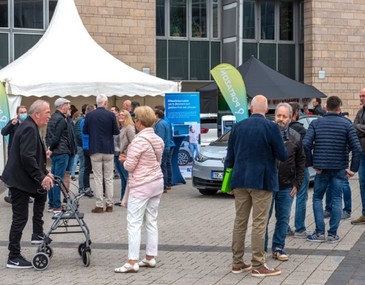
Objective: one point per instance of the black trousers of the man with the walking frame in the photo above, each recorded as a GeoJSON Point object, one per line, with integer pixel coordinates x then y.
{"type": "Point", "coordinates": [20, 207]}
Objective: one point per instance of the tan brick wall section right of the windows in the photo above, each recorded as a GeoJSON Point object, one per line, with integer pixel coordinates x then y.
{"type": "Point", "coordinates": [334, 41]}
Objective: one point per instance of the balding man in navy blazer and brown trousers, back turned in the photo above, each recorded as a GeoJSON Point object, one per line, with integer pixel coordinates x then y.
{"type": "Point", "coordinates": [253, 148]}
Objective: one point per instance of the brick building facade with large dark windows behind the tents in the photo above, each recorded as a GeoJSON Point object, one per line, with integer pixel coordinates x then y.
{"type": "Point", "coordinates": [319, 42]}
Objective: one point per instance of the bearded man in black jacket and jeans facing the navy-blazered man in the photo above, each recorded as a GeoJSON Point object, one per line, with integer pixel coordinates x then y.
{"type": "Point", "coordinates": [291, 174]}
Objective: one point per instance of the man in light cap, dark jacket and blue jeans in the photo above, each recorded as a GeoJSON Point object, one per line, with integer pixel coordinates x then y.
{"type": "Point", "coordinates": [60, 140]}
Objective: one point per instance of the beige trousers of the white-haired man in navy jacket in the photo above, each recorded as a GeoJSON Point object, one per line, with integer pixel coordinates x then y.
{"type": "Point", "coordinates": [103, 166]}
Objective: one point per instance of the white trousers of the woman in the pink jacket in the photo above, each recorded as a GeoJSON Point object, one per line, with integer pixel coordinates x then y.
{"type": "Point", "coordinates": [140, 211]}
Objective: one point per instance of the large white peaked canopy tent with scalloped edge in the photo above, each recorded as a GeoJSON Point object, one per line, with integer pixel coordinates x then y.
{"type": "Point", "coordinates": [68, 62]}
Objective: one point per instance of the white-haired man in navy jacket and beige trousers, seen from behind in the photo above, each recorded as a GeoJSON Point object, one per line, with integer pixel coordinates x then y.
{"type": "Point", "coordinates": [101, 125]}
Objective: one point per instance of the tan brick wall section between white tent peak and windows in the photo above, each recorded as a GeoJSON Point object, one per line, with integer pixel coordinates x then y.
{"type": "Point", "coordinates": [125, 28]}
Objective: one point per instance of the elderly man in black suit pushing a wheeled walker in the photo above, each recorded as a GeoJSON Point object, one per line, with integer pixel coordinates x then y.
{"type": "Point", "coordinates": [26, 175]}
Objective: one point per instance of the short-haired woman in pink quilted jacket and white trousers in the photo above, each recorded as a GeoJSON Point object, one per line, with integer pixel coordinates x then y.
{"type": "Point", "coordinates": [145, 181]}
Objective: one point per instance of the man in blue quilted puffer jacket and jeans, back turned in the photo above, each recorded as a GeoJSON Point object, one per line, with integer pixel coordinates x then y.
{"type": "Point", "coordinates": [327, 144]}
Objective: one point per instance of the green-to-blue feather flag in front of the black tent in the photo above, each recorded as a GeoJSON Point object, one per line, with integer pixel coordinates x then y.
{"type": "Point", "coordinates": [232, 86]}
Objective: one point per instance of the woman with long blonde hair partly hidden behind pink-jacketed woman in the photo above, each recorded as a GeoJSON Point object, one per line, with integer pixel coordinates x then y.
{"type": "Point", "coordinates": [127, 133]}
